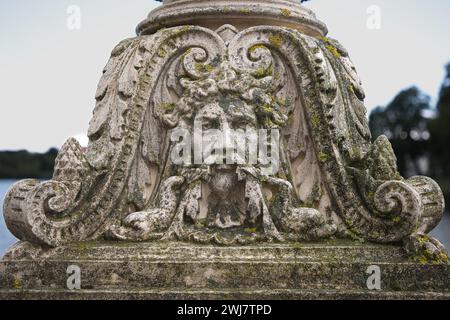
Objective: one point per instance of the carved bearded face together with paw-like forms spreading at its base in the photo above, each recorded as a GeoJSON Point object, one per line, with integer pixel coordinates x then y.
{"type": "Point", "coordinates": [226, 145]}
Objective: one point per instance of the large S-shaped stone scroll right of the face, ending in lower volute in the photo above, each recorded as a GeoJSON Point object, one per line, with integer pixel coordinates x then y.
{"type": "Point", "coordinates": [336, 120]}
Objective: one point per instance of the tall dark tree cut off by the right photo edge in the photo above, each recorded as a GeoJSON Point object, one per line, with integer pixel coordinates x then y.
{"type": "Point", "coordinates": [440, 132]}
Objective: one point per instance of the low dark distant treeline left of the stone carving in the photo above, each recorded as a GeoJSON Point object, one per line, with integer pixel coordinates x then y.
{"type": "Point", "coordinates": [23, 164]}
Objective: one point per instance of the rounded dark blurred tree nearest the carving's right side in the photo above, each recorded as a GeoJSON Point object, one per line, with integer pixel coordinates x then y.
{"type": "Point", "coordinates": [404, 122]}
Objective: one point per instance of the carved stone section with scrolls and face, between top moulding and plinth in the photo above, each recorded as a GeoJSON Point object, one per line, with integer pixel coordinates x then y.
{"type": "Point", "coordinates": [332, 182]}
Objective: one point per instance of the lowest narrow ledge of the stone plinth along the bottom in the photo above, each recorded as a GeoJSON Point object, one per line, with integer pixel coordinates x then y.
{"type": "Point", "coordinates": [230, 294]}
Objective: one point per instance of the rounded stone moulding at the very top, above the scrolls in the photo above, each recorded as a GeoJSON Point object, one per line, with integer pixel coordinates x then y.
{"type": "Point", "coordinates": [240, 13]}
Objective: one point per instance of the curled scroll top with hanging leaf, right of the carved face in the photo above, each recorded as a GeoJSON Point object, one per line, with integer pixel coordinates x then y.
{"type": "Point", "coordinates": [264, 50]}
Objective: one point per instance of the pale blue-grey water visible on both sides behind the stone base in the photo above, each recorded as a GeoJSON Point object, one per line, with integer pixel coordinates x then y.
{"type": "Point", "coordinates": [442, 232]}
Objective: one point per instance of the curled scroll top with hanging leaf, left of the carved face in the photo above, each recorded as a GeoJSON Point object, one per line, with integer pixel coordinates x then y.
{"type": "Point", "coordinates": [193, 60]}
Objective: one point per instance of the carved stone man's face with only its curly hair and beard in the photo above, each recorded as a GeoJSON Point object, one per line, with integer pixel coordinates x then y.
{"type": "Point", "coordinates": [222, 129]}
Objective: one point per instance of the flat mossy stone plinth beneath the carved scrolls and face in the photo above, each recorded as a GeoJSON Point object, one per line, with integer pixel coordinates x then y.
{"type": "Point", "coordinates": [337, 270]}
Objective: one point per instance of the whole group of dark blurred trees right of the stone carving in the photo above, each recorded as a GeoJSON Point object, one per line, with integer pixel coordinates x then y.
{"type": "Point", "coordinates": [419, 132]}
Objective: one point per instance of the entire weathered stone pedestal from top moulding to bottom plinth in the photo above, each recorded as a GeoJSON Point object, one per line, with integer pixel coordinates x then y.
{"type": "Point", "coordinates": [259, 78]}
